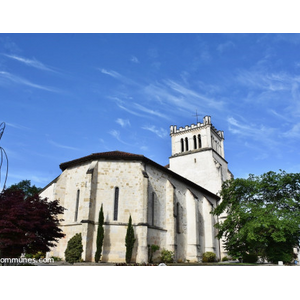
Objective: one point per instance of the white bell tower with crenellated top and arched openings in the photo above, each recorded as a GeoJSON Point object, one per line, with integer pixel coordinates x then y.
{"type": "Point", "coordinates": [198, 154]}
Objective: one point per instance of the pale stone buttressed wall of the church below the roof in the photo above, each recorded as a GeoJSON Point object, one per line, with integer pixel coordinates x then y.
{"type": "Point", "coordinates": [165, 210]}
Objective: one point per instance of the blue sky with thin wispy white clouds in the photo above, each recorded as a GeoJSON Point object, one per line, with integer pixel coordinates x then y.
{"type": "Point", "coordinates": [64, 96]}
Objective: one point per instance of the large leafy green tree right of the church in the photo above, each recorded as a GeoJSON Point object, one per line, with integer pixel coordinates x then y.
{"type": "Point", "coordinates": [263, 215]}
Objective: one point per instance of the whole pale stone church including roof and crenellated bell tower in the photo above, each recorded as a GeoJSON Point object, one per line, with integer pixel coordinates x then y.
{"type": "Point", "coordinates": [169, 205]}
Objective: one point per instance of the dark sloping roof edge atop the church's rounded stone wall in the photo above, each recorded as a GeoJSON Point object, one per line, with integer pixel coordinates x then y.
{"type": "Point", "coordinates": [120, 155]}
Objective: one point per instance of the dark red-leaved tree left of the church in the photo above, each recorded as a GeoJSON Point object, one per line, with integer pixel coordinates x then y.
{"type": "Point", "coordinates": [28, 224]}
